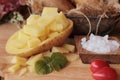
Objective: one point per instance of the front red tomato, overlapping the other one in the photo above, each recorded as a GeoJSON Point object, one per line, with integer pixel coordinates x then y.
{"type": "Point", "coordinates": [105, 73]}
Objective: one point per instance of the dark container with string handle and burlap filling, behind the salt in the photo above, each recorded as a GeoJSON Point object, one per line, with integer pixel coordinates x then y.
{"type": "Point", "coordinates": [95, 16]}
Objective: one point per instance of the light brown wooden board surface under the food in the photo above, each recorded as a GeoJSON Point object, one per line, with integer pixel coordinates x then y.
{"type": "Point", "coordinates": [74, 71]}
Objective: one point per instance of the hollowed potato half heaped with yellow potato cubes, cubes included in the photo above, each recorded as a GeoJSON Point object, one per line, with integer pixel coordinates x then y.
{"type": "Point", "coordinates": [36, 34]}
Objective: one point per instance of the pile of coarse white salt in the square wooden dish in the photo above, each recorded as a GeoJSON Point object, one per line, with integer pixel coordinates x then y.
{"type": "Point", "coordinates": [99, 44]}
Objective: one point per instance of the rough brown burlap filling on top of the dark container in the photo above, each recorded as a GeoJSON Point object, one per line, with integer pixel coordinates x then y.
{"type": "Point", "coordinates": [97, 7]}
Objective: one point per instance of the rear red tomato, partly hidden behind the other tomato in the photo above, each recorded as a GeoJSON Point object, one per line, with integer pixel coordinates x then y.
{"type": "Point", "coordinates": [97, 64]}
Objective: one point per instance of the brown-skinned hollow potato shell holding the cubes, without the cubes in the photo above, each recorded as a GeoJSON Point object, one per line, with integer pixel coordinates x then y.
{"type": "Point", "coordinates": [45, 45]}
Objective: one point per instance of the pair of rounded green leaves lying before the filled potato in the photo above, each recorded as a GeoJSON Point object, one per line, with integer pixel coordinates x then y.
{"type": "Point", "coordinates": [56, 62]}
